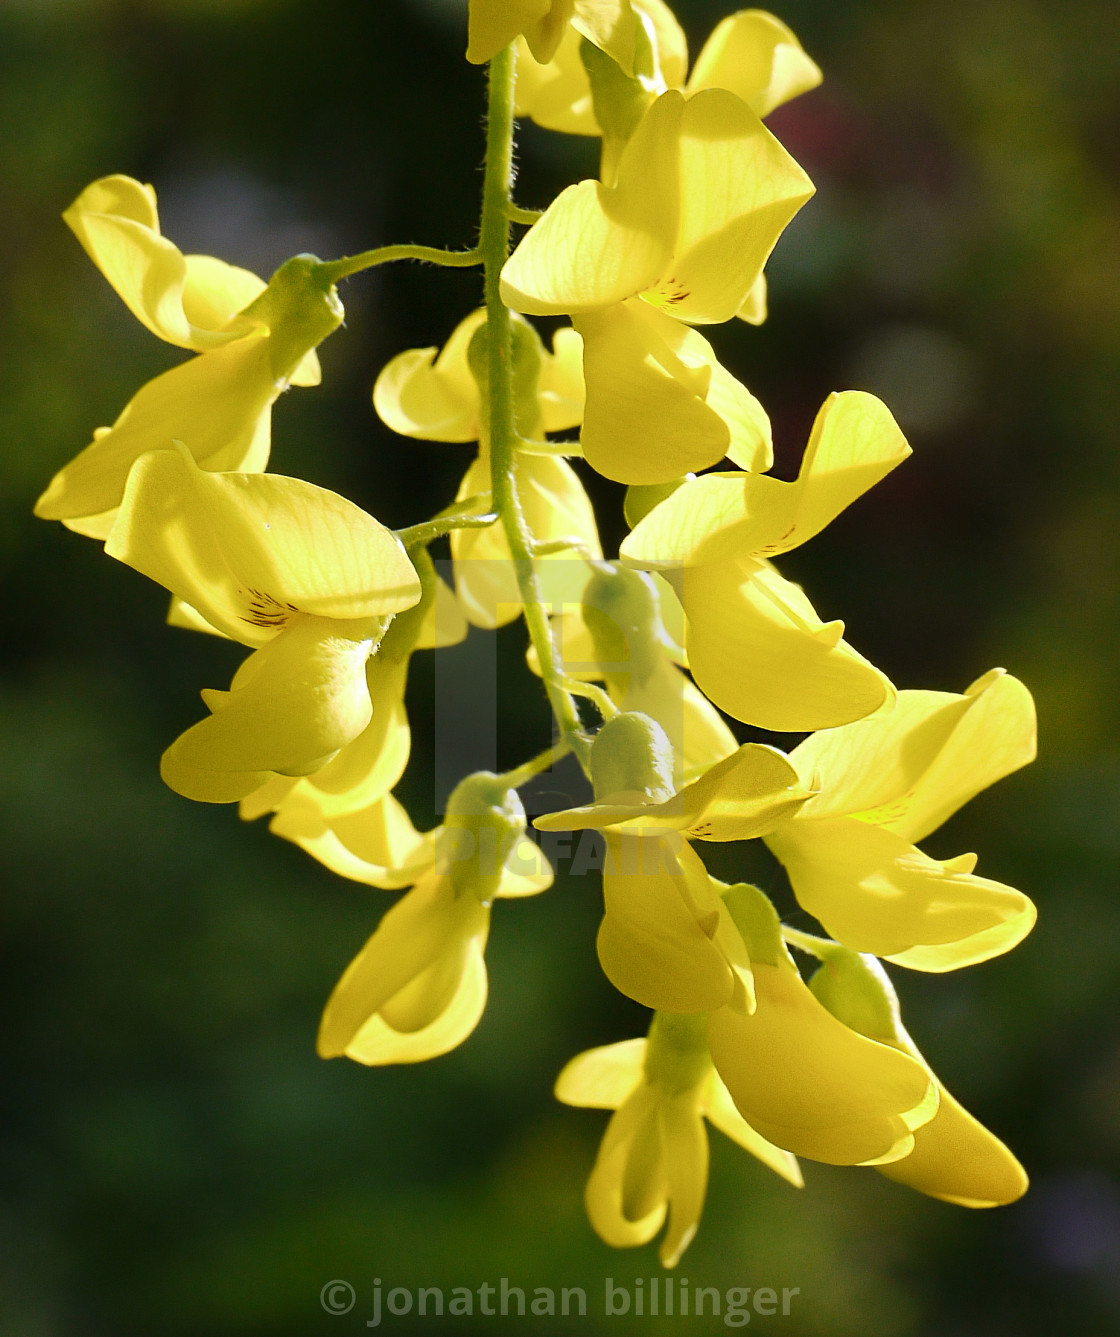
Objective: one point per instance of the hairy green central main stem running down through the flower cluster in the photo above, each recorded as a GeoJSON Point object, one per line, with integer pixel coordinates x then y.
{"type": "Point", "coordinates": [494, 244]}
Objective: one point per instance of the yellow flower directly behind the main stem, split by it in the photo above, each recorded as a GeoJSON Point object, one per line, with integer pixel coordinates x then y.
{"type": "Point", "coordinates": [439, 399]}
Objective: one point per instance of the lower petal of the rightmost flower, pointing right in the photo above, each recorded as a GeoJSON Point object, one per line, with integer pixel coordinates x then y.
{"type": "Point", "coordinates": [875, 892]}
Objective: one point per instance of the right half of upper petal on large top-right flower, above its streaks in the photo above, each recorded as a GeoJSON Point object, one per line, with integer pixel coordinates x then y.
{"type": "Point", "coordinates": [738, 191]}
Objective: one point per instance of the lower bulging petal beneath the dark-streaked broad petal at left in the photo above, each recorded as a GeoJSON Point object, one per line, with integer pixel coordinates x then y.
{"type": "Point", "coordinates": [295, 704]}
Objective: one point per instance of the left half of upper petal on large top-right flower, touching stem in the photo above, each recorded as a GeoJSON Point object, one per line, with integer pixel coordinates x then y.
{"type": "Point", "coordinates": [598, 245]}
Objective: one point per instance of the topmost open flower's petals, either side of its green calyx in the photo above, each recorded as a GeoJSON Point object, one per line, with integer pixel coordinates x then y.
{"type": "Point", "coordinates": [750, 54]}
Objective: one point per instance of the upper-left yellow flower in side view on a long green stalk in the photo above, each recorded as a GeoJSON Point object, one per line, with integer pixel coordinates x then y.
{"type": "Point", "coordinates": [255, 342]}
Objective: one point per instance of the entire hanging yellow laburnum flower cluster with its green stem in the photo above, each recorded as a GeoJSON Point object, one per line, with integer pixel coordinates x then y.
{"type": "Point", "coordinates": [690, 625]}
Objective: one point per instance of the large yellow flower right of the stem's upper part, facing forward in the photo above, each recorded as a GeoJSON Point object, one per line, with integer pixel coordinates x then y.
{"type": "Point", "coordinates": [702, 196]}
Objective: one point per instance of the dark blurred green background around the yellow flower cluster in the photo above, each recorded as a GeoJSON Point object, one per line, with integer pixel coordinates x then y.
{"type": "Point", "coordinates": [176, 1159]}
